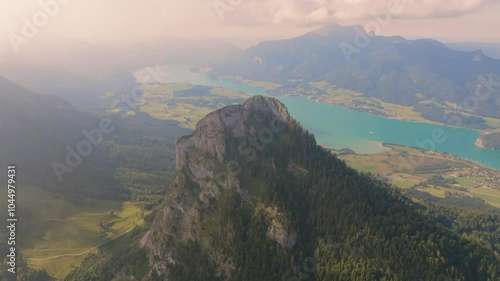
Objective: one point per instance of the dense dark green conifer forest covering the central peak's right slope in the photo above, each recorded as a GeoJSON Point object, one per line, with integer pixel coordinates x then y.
{"type": "Point", "coordinates": [346, 226]}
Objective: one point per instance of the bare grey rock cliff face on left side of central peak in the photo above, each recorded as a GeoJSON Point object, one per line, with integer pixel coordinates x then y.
{"type": "Point", "coordinates": [208, 164]}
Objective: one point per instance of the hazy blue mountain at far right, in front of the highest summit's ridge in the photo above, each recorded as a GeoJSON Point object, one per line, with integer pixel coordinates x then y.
{"type": "Point", "coordinates": [399, 71]}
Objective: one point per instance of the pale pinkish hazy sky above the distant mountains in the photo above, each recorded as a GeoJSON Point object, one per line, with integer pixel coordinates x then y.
{"type": "Point", "coordinates": [103, 21]}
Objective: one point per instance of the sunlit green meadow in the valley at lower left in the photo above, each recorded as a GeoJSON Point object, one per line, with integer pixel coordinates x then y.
{"type": "Point", "coordinates": [62, 234]}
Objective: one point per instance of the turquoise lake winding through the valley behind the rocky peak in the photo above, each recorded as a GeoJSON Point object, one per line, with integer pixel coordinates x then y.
{"type": "Point", "coordinates": [336, 127]}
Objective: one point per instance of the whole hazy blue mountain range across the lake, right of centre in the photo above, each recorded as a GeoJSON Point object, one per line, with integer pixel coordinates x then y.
{"type": "Point", "coordinates": [390, 68]}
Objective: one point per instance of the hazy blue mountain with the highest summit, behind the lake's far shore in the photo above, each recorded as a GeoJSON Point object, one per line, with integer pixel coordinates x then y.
{"type": "Point", "coordinates": [308, 57]}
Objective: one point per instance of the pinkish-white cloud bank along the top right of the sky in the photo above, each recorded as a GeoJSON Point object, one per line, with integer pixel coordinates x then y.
{"type": "Point", "coordinates": [313, 12]}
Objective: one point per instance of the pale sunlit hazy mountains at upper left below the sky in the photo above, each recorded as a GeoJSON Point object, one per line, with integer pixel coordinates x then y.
{"type": "Point", "coordinates": [81, 72]}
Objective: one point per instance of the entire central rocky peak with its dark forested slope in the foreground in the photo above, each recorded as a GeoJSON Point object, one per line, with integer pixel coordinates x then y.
{"type": "Point", "coordinates": [255, 198]}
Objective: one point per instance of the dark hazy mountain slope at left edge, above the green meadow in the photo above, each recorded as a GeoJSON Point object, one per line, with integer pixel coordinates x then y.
{"type": "Point", "coordinates": [35, 132]}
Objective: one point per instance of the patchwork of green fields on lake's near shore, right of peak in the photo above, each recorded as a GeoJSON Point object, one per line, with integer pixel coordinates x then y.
{"type": "Point", "coordinates": [435, 173]}
